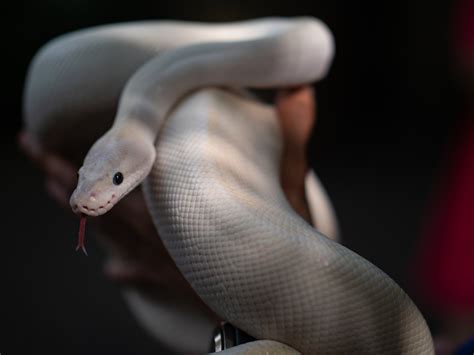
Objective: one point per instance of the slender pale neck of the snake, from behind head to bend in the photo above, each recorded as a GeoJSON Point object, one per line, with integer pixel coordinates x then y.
{"type": "Point", "coordinates": [285, 53]}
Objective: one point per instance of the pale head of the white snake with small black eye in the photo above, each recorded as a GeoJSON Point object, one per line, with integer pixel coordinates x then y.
{"type": "Point", "coordinates": [115, 165]}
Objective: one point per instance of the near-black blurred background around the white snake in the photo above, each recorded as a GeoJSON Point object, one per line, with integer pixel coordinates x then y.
{"type": "Point", "coordinates": [385, 116]}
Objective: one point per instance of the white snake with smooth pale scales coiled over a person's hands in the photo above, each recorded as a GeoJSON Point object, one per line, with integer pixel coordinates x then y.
{"type": "Point", "coordinates": [212, 181]}
